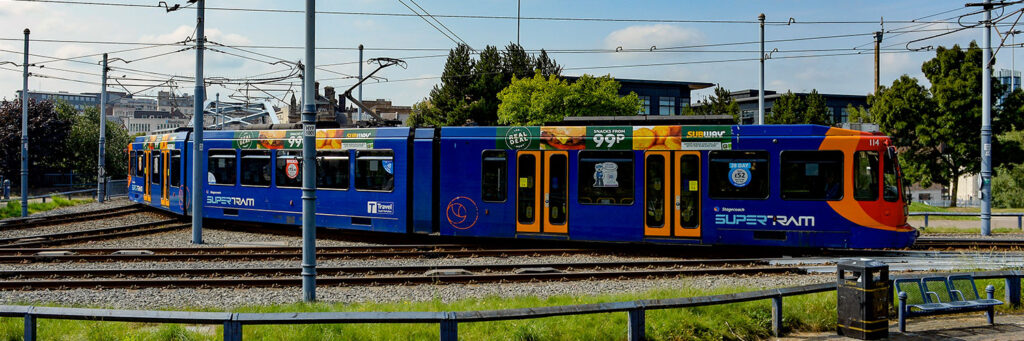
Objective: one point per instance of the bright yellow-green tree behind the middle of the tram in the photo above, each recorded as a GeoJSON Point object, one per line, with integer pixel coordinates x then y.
{"type": "Point", "coordinates": [532, 102]}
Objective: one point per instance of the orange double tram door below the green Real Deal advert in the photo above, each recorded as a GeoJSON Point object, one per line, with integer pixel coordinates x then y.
{"type": "Point", "coordinates": [542, 192]}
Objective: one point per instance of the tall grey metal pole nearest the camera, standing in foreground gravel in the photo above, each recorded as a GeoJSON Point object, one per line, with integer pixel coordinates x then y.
{"type": "Point", "coordinates": [309, 162]}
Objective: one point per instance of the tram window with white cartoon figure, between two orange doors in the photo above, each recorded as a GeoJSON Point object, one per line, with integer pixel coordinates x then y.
{"type": "Point", "coordinates": [606, 178]}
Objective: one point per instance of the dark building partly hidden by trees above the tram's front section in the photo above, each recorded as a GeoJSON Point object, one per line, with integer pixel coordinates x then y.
{"type": "Point", "coordinates": [748, 101]}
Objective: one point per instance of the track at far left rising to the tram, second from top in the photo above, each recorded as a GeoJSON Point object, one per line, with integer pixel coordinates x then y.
{"type": "Point", "coordinates": [39, 241]}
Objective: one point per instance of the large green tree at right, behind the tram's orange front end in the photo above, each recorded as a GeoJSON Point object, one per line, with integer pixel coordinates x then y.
{"type": "Point", "coordinates": [938, 129]}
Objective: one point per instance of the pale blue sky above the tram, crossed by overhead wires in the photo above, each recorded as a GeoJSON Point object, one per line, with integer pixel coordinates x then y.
{"type": "Point", "coordinates": [848, 74]}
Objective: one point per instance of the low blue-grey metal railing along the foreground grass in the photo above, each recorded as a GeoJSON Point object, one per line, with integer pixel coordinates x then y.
{"type": "Point", "coordinates": [449, 321]}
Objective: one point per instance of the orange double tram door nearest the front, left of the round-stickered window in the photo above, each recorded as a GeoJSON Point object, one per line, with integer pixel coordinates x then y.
{"type": "Point", "coordinates": [672, 194]}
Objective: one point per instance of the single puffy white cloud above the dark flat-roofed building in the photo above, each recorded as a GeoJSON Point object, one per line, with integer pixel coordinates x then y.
{"type": "Point", "coordinates": [647, 36]}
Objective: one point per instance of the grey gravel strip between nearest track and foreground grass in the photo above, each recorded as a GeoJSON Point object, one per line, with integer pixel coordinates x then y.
{"type": "Point", "coordinates": [226, 300]}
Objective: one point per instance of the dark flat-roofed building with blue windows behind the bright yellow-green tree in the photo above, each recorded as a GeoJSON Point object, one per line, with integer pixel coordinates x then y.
{"type": "Point", "coordinates": [658, 98]}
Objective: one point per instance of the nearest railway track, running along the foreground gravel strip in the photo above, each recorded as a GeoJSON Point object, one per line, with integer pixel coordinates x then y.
{"type": "Point", "coordinates": [373, 276]}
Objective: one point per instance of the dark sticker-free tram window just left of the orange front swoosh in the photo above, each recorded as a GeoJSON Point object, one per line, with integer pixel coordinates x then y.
{"type": "Point", "coordinates": [813, 176]}
